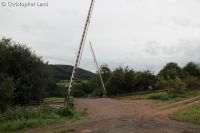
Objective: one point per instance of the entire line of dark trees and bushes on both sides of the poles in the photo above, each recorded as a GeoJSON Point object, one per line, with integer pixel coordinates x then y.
{"type": "Point", "coordinates": [25, 79]}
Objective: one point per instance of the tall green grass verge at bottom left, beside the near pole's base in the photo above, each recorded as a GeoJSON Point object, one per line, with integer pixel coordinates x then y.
{"type": "Point", "coordinates": [21, 118]}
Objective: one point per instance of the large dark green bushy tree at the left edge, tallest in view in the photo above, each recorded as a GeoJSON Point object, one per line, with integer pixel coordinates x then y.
{"type": "Point", "coordinates": [29, 73]}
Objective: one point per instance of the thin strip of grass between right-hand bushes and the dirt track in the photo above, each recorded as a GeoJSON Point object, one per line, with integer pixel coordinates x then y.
{"type": "Point", "coordinates": [164, 96]}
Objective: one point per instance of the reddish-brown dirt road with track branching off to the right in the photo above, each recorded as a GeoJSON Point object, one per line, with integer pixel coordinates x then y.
{"type": "Point", "coordinates": [107, 115]}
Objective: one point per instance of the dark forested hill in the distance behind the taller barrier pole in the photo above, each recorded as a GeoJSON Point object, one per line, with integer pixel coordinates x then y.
{"type": "Point", "coordinates": [63, 72]}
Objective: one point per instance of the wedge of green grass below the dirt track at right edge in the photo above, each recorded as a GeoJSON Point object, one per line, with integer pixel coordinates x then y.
{"type": "Point", "coordinates": [190, 114]}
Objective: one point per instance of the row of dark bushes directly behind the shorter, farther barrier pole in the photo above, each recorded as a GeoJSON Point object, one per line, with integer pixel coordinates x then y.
{"type": "Point", "coordinates": [121, 81]}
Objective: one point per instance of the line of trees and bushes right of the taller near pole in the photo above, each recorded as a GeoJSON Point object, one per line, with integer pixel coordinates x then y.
{"type": "Point", "coordinates": [171, 78]}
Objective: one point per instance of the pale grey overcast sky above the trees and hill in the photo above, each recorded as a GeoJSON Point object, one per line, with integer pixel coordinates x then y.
{"type": "Point", "coordinates": [143, 34]}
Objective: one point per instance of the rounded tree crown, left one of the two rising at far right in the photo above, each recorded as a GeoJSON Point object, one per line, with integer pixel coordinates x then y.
{"type": "Point", "coordinates": [171, 71]}
